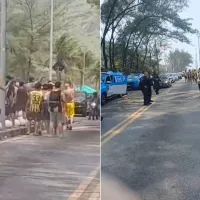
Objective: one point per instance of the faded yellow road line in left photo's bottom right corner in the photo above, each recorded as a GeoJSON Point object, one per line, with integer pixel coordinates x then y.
{"type": "Point", "coordinates": [84, 185]}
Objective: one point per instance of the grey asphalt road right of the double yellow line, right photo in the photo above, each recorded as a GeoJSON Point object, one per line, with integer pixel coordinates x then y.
{"type": "Point", "coordinates": [158, 155]}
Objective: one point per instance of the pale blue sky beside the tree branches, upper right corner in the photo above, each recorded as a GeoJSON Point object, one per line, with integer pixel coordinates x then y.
{"type": "Point", "coordinates": [191, 12]}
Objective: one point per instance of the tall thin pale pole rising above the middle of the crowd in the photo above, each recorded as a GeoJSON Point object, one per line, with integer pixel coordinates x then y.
{"type": "Point", "coordinates": [51, 43]}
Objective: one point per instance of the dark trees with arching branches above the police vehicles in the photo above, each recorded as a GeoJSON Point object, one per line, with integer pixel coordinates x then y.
{"type": "Point", "coordinates": [135, 32]}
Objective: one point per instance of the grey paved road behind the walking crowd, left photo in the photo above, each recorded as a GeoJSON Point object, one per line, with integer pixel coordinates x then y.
{"type": "Point", "coordinates": [47, 168]}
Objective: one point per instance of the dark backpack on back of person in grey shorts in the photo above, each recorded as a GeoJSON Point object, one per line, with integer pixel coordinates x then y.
{"type": "Point", "coordinates": [55, 101]}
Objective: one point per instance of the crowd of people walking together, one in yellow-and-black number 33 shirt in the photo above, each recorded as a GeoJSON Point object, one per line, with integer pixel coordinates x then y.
{"type": "Point", "coordinates": [46, 106]}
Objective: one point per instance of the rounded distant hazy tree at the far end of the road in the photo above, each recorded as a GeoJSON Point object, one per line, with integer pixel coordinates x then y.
{"type": "Point", "coordinates": [179, 60]}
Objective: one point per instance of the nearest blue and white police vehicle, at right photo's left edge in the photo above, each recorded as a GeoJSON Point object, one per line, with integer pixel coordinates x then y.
{"type": "Point", "coordinates": [112, 84]}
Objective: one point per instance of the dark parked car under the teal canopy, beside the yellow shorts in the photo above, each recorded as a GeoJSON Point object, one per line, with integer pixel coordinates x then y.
{"type": "Point", "coordinates": [81, 103]}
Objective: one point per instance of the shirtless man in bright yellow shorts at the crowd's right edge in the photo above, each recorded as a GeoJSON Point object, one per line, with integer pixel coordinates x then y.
{"type": "Point", "coordinates": [68, 95]}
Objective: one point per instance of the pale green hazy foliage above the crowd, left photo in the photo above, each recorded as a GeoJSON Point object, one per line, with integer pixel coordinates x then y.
{"type": "Point", "coordinates": [29, 39]}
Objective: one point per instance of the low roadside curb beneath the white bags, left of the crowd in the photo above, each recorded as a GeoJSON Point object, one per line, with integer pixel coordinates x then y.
{"type": "Point", "coordinates": [12, 132]}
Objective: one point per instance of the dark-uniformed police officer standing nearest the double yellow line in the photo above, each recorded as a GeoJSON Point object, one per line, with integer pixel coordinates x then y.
{"type": "Point", "coordinates": [145, 85]}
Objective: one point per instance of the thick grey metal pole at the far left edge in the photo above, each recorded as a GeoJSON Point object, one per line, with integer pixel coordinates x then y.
{"type": "Point", "coordinates": [3, 58]}
